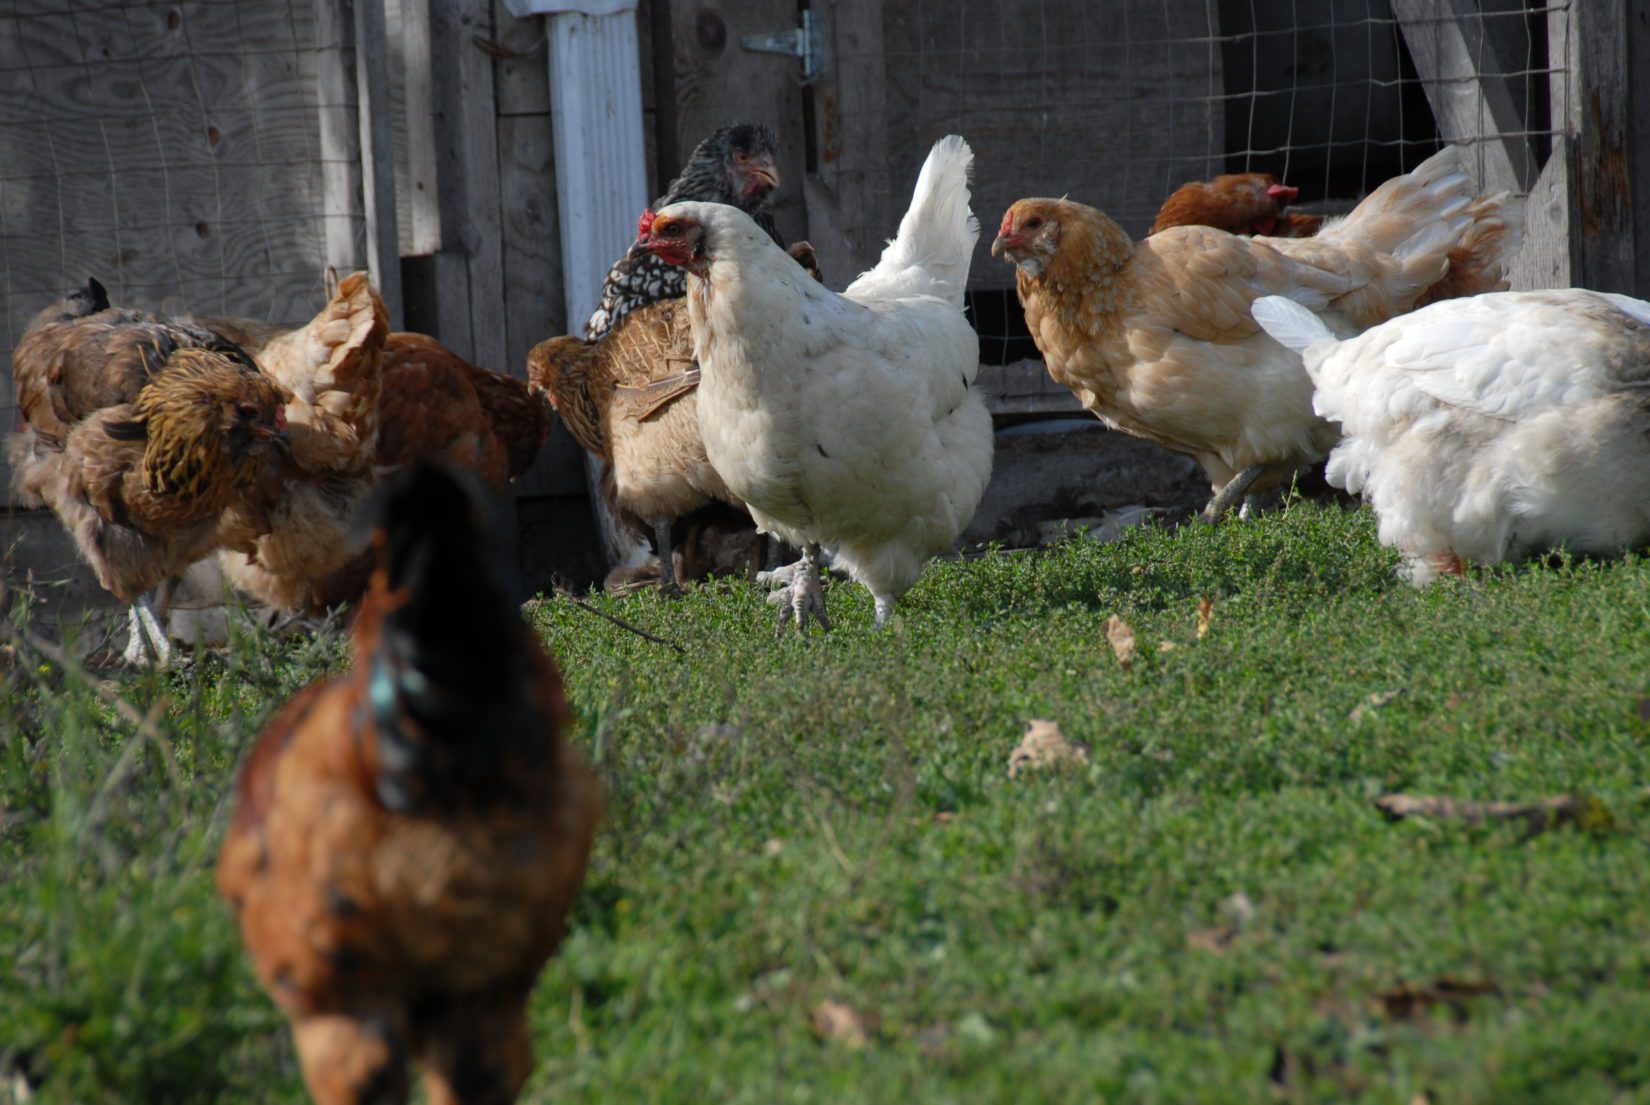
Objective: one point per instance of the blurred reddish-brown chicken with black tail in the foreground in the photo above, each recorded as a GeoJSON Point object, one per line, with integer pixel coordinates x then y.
{"type": "Point", "coordinates": [410, 835]}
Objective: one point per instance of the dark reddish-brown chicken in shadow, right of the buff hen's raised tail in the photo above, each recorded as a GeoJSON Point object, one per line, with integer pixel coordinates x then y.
{"type": "Point", "coordinates": [438, 407]}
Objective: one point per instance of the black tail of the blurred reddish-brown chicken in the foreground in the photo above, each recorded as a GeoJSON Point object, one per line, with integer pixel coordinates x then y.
{"type": "Point", "coordinates": [450, 672]}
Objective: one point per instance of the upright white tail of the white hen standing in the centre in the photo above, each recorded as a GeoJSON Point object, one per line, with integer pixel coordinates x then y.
{"type": "Point", "coordinates": [936, 238]}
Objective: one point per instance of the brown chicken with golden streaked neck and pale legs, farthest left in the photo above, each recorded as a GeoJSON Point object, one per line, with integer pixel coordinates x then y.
{"type": "Point", "coordinates": [139, 435]}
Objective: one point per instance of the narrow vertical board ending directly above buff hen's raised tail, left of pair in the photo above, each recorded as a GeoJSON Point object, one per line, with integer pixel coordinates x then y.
{"type": "Point", "coordinates": [341, 149]}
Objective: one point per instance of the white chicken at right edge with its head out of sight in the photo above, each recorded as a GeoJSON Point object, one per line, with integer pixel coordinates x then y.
{"type": "Point", "coordinates": [1489, 428]}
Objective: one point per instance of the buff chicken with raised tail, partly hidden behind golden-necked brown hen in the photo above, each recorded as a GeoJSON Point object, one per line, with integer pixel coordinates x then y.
{"type": "Point", "coordinates": [331, 370]}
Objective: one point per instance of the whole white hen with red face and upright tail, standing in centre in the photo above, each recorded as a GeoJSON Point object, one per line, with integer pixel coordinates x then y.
{"type": "Point", "coordinates": [842, 421]}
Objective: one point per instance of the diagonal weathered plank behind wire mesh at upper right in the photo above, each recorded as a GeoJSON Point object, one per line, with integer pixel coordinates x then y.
{"type": "Point", "coordinates": [1464, 82]}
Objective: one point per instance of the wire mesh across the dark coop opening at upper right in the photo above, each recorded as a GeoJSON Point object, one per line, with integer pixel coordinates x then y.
{"type": "Point", "coordinates": [1116, 103]}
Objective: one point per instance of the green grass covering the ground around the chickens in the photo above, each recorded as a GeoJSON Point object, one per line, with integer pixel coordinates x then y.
{"type": "Point", "coordinates": [793, 822]}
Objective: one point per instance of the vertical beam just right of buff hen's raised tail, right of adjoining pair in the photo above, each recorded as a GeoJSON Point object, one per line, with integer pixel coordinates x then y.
{"type": "Point", "coordinates": [379, 159]}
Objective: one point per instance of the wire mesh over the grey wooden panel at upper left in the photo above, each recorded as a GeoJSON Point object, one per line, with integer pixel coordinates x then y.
{"type": "Point", "coordinates": [172, 151]}
